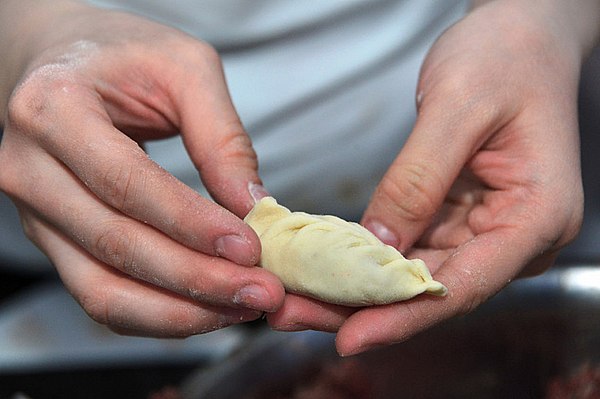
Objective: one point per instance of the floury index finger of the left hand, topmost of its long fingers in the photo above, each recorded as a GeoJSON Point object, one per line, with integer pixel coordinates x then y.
{"type": "Point", "coordinates": [122, 175]}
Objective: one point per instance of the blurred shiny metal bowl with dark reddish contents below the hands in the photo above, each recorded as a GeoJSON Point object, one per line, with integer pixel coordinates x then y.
{"type": "Point", "coordinates": [535, 332]}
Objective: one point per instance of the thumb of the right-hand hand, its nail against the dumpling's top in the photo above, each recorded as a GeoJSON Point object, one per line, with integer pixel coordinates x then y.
{"type": "Point", "coordinates": [414, 187]}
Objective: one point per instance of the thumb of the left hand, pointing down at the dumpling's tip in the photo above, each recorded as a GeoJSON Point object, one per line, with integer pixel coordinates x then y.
{"type": "Point", "coordinates": [217, 142]}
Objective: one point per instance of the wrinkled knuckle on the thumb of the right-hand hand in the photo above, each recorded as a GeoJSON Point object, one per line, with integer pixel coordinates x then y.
{"type": "Point", "coordinates": [413, 192]}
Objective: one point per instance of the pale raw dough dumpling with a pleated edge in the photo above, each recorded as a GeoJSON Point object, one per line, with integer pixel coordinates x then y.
{"type": "Point", "coordinates": [339, 262]}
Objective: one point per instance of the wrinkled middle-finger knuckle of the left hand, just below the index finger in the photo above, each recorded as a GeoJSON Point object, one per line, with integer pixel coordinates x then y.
{"type": "Point", "coordinates": [116, 245]}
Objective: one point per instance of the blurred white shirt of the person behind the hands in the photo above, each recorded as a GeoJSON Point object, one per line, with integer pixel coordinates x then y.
{"type": "Point", "coordinates": [325, 89]}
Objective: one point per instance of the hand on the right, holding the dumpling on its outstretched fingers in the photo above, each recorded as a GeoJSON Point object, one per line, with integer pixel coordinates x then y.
{"type": "Point", "coordinates": [488, 186]}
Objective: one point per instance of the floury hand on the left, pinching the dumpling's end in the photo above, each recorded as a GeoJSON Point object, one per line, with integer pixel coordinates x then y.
{"type": "Point", "coordinates": [141, 252]}
